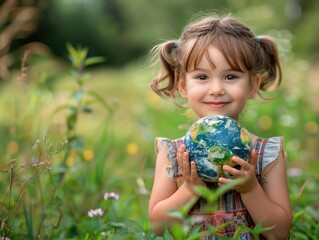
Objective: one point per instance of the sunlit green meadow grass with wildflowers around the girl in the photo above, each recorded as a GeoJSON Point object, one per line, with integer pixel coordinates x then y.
{"type": "Point", "coordinates": [49, 183]}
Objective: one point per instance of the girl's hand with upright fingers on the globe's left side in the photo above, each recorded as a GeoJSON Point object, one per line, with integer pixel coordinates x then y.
{"type": "Point", "coordinates": [188, 169]}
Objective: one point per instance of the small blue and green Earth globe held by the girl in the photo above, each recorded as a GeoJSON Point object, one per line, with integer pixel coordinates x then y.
{"type": "Point", "coordinates": [211, 142]}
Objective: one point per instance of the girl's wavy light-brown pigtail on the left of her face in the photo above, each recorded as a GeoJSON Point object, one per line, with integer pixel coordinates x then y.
{"type": "Point", "coordinates": [167, 55]}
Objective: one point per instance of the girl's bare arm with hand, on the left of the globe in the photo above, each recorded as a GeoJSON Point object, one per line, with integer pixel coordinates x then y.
{"type": "Point", "coordinates": [165, 195]}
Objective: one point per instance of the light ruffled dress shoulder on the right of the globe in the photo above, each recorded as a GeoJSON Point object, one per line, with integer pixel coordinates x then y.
{"type": "Point", "coordinates": [269, 152]}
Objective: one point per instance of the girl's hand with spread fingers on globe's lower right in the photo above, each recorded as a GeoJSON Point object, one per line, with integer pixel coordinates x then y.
{"type": "Point", "coordinates": [246, 171]}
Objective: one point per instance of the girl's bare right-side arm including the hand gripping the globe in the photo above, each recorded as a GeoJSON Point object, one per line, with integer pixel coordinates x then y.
{"type": "Point", "coordinates": [268, 202]}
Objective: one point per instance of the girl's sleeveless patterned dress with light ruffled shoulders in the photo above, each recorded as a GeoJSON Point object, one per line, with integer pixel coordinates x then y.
{"type": "Point", "coordinates": [230, 208]}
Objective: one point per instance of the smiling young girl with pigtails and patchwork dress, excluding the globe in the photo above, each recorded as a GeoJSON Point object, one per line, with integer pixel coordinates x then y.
{"type": "Point", "coordinates": [216, 65]}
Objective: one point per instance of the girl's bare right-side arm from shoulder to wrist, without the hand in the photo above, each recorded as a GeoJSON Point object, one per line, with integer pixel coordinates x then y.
{"type": "Point", "coordinates": [270, 203]}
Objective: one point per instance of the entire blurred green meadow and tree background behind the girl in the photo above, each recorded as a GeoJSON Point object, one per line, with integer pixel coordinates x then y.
{"type": "Point", "coordinates": [71, 133]}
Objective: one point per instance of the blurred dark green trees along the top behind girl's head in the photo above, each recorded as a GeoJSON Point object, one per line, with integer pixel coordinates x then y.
{"type": "Point", "coordinates": [123, 30]}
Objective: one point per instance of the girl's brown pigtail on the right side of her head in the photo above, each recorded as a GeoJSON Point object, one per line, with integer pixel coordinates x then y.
{"type": "Point", "coordinates": [270, 68]}
